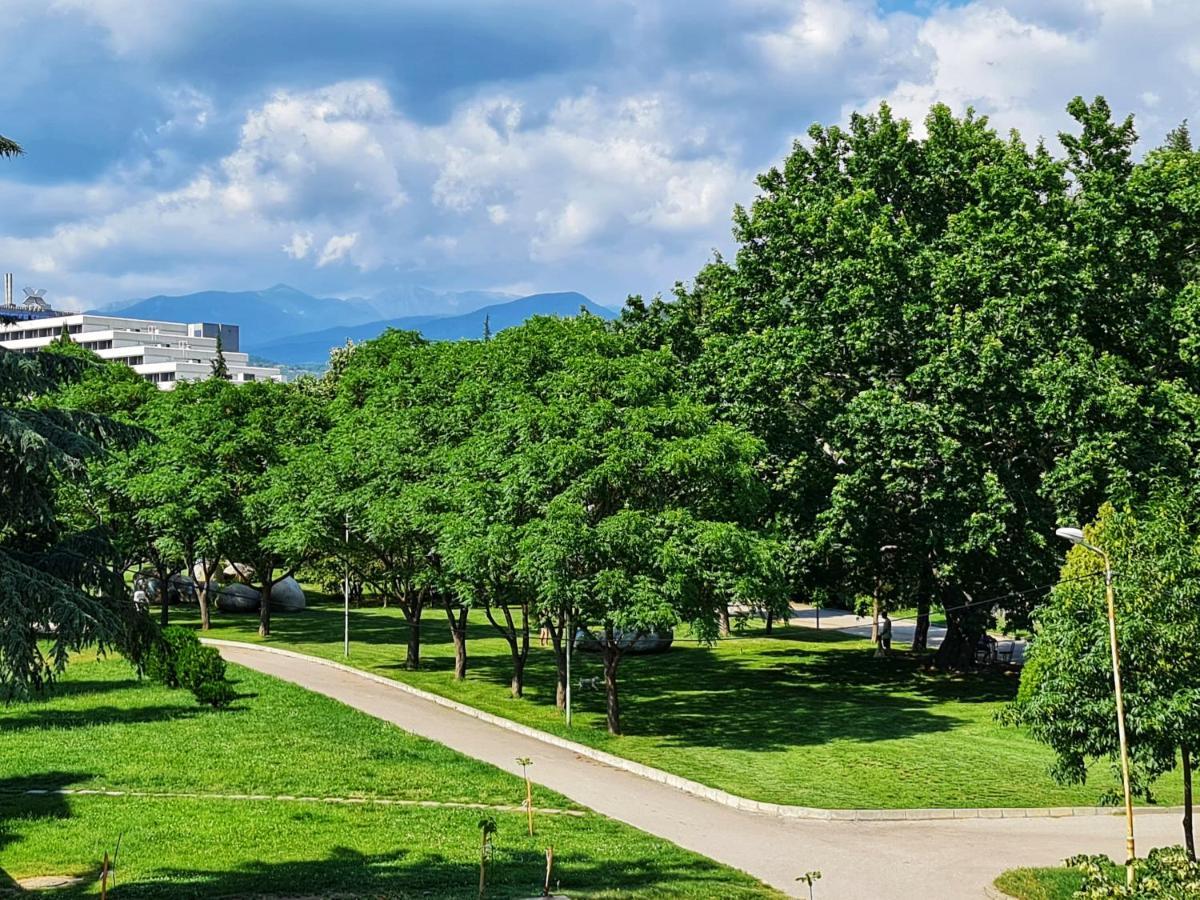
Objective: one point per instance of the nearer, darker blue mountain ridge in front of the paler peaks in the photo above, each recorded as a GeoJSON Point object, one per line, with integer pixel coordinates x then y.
{"type": "Point", "coordinates": [313, 347]}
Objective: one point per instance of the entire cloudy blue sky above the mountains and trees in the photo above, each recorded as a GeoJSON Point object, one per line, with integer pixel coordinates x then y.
{"type": "Point", "coordinates": [519, 146]}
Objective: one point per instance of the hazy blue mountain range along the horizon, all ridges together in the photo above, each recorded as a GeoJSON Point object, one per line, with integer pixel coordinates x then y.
{"type": "Point", "coordinates": [287, 326]}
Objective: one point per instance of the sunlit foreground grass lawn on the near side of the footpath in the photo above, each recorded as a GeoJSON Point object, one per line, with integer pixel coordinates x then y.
{"type": "Point", "coordinates": [105, 730]}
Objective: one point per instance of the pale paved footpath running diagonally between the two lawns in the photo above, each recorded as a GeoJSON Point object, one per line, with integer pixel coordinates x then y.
{"type": "Point", "coordinates": [951, 860]}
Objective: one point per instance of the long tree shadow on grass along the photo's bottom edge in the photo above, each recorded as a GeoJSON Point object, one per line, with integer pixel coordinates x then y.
{"type": "Point", "coordinates": [512, 874]}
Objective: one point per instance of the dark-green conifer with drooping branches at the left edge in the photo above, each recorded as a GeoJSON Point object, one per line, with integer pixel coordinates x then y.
{"type": "Point", "coordinates": [59, 590]}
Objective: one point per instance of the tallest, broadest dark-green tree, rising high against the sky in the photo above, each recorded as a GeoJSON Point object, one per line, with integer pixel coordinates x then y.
{"type": "Point", "coordinates": [946, 344]}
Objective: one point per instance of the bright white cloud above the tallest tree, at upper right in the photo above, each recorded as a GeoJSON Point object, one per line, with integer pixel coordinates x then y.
{"type": "Point", "coordinates": [1022, 62]}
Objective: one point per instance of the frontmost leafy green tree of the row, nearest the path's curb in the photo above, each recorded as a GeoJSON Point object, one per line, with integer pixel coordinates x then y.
{"type": "Point", "coordinates": [623, 467]}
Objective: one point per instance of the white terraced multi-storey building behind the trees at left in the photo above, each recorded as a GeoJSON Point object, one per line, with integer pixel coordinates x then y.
{"type": "Point", "coordinates": [161, 352]}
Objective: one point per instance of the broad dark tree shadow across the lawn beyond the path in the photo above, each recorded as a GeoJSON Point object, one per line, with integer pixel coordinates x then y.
{"type": "Point", "coordinates": [797, 688]}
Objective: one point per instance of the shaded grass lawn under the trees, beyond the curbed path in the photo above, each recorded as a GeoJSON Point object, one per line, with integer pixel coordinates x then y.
{"type": "Point", "coordinates": [803, 717]}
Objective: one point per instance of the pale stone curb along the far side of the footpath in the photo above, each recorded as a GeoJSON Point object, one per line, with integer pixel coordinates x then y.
{"type": "Point", "coordinates": [777, 811]}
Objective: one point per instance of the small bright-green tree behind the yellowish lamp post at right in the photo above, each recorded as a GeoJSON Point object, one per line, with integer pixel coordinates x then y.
{"type": "Point", "coordinates": [1066, 695]}
